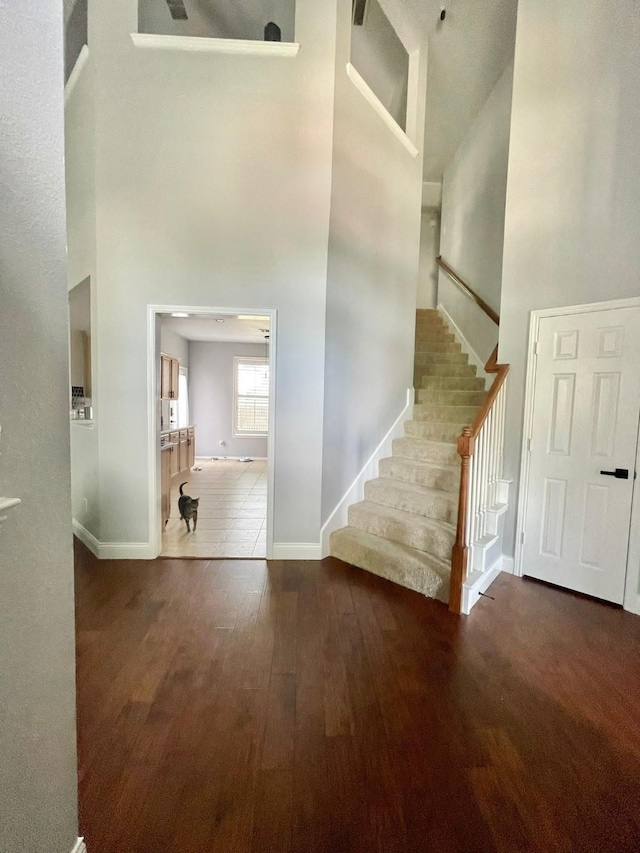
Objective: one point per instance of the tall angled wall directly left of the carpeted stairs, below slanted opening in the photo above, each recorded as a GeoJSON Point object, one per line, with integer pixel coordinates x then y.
{"type": "Point", "coordinates": [372, 279]}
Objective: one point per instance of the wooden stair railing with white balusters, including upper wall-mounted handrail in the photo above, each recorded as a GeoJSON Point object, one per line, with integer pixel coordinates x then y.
{"type": "Point", "coordinates": [480, 447]}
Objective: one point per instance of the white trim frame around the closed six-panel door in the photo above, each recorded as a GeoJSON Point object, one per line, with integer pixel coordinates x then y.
{"type": "Point", "coordinates": [632, 580]}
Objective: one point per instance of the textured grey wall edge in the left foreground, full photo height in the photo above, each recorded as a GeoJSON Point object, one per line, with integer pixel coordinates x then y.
{"type": "Point", "coordinates": [38, 780]}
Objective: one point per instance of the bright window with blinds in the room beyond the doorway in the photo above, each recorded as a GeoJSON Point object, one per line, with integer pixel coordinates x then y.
{"type": "Point", "coordinates": [251, 396]}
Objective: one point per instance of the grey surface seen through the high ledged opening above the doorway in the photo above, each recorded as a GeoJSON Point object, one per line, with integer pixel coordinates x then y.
{"type": "Point", "coordinates": [220, 18]}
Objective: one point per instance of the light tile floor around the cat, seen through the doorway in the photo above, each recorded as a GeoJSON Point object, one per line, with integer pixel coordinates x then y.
{"type": "Point", "coordinates": [231, 514]}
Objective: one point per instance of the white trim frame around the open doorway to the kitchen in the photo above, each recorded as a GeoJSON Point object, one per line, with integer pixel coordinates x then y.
{"type": "Point", "coordinates": [153, 412]}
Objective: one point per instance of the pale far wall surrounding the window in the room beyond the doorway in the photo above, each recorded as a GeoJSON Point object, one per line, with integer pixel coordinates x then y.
{"type": "Point", "coordinates": [211, 399]}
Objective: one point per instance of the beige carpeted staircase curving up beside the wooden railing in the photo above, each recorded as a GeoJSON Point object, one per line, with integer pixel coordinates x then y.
{"type": "Point", "coordinates": [404, 529]}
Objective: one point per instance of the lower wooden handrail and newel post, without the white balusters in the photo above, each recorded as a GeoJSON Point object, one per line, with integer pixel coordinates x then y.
{"type": "Point", "coordinates": [466, 447]}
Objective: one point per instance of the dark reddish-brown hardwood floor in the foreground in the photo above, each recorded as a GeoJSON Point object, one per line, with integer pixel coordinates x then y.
{"type": "Point", "coordinates": [238, 706]}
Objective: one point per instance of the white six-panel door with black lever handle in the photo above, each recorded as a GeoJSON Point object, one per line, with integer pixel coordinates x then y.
{"type": "Point", "coordinates": [585, 421]}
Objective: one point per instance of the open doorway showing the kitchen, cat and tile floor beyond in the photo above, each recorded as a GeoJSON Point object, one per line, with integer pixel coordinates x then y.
{"type": "Point", "coordinates": [211, 422]}
